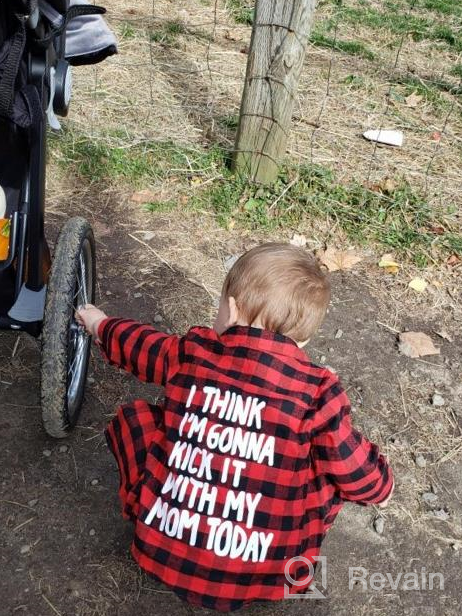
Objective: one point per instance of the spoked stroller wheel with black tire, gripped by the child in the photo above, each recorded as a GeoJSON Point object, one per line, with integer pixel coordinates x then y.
{"type": "Point", "coordinates": [65, 345]}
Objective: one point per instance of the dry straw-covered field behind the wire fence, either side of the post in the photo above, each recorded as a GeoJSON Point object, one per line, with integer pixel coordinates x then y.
{"type": "Point", "coordinates": [370, 65]}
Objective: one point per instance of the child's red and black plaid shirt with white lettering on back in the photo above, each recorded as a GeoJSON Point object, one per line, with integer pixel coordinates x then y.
{"type": "Point", "coordinates": [221, 498]}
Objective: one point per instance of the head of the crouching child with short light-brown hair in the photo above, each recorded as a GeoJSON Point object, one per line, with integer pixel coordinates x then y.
{"type": "Point", "coordinates": [277, 287]}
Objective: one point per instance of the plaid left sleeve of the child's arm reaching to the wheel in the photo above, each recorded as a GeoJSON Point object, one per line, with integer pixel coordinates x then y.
{"type": "Point", "coordinates": [148, 354]}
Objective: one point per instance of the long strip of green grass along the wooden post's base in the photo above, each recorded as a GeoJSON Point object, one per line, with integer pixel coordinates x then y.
{"type": "Point", "coordinates": [401, 221]}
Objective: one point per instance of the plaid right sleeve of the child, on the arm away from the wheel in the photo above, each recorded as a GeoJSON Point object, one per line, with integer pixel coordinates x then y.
{"type": "Point", "coordinates": [351, 462]}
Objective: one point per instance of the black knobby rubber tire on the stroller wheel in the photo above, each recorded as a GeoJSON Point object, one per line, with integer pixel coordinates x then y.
{"type": "Point", "coordinates": [59, 315]}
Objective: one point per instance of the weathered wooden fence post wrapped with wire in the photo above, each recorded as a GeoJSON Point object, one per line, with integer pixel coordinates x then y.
{"type": "Point", "coordinates": [277, 51]}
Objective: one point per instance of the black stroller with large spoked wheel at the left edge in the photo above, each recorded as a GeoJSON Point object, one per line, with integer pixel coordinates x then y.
{"type": "Point", "coordinates": [39, 40]}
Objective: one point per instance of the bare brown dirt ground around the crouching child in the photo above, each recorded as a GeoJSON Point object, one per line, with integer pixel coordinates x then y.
{"type": "Point", "coordinates": [65, 548]}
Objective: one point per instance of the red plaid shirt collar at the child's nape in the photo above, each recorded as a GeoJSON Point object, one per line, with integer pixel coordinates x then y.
{"type": "Point", "coordinates": [262, 340]}
